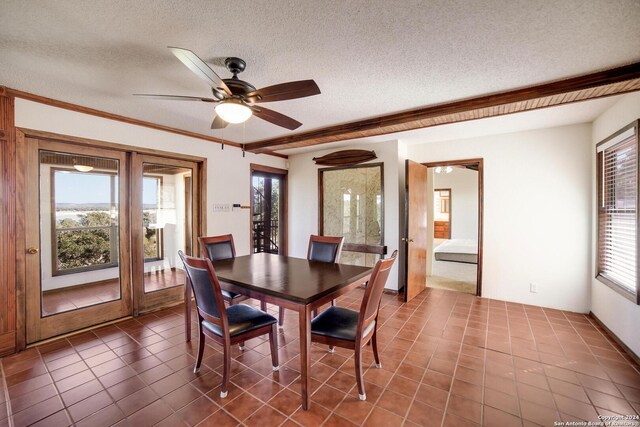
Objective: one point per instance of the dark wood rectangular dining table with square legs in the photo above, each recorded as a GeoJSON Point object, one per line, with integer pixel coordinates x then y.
{"type": "Point", "coordinates": [293, 283]}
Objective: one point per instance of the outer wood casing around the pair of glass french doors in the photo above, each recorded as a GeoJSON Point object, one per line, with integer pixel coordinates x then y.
{"type": "Point", "coordinates": [21, 134]}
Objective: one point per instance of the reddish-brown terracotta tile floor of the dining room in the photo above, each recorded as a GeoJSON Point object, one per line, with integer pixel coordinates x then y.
{"type": "Point", "coordinates": [448, 359]}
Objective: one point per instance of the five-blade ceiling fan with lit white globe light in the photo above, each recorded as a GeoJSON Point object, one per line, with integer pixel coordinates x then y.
{"type": "Point", "coordinates": [236, 98]}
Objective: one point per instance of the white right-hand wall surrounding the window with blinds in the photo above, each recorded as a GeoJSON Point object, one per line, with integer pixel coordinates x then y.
{"type": "Point", "coordinates": [619, 314]}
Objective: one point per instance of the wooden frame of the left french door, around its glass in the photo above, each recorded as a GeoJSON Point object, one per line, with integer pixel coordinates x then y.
{"type": "Point", "coordinates": [27, 188]}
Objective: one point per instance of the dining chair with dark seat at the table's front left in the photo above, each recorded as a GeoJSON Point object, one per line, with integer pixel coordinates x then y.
{"type": "Point", "coordinates": [225, 325]}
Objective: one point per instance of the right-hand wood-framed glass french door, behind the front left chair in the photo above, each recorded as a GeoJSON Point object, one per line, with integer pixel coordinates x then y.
{"type": "Point", "coordinates": [163, 221]}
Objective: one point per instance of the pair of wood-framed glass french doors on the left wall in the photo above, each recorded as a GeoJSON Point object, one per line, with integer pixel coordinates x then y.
{"type": "Point", "coordinates": [102, 230]}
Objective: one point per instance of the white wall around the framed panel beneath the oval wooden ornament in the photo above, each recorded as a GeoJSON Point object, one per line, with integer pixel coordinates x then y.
{"type": "Point", "coordinates": [303, 199]}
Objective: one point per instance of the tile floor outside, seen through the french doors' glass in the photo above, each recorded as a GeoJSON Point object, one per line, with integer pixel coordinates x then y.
{"type": "Point", "coordinates": [59, 300]}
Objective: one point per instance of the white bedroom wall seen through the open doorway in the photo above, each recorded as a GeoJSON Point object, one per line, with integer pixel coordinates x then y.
{"type": "Point", "coordinates": [464, 200]}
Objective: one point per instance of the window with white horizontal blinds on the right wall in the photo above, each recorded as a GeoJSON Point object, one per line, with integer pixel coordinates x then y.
{"type": "Point", "coordinates": [617, 158]}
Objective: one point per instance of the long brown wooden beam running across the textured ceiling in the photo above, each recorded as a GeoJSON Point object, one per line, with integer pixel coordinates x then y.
{"type": "Point", "coordinates": [591, 86]}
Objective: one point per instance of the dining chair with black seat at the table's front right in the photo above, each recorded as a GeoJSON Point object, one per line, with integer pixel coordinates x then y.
{"type": "Point", "coordinates": [341, 327]}
